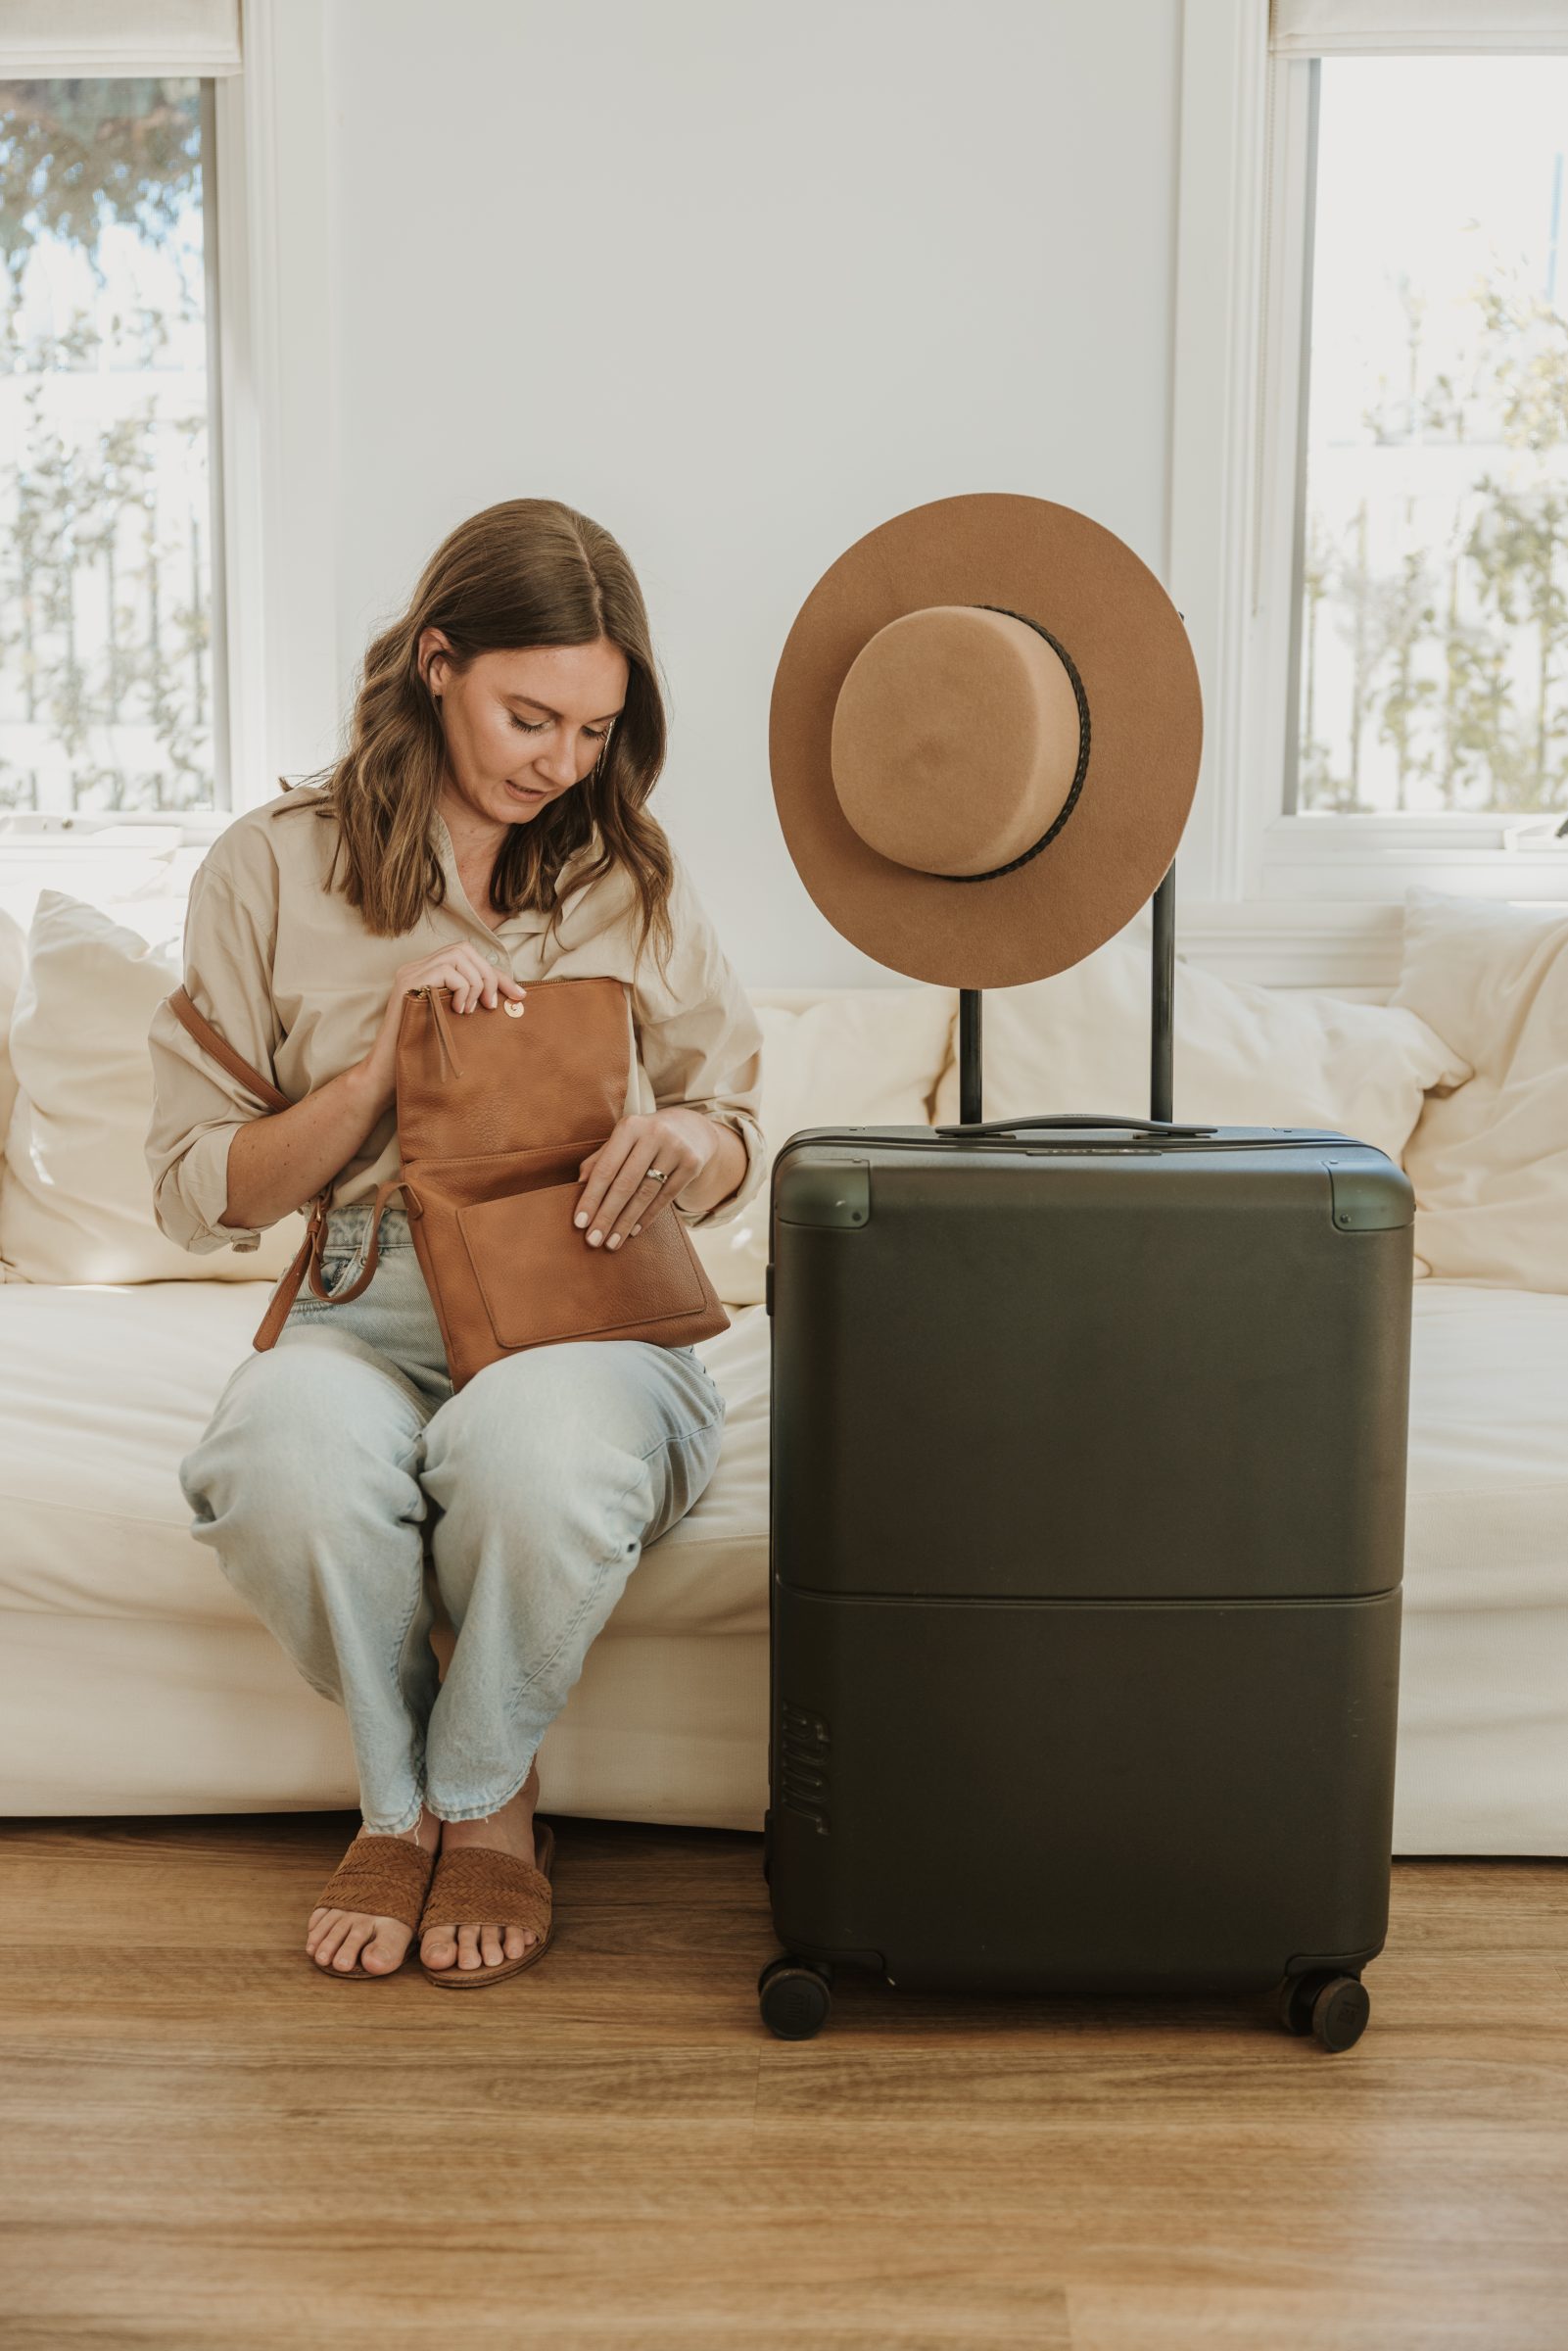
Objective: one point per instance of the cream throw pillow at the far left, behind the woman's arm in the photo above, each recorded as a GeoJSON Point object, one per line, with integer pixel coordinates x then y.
{"type": "Point", "coordinates": [76, 1203]}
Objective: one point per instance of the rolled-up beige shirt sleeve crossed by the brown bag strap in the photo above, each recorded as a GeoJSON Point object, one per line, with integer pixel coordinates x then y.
{"type": "Point", "coordinates": [199, 1108]}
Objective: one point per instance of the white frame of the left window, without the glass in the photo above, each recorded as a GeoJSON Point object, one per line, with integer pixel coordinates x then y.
{"type": "Point", "coordinates": [272, 387]}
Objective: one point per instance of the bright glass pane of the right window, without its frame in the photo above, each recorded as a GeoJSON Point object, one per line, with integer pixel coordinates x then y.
{"type": "Point", "coordinates": [1433, 565]}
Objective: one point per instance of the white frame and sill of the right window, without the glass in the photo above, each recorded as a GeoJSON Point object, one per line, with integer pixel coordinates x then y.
{"type": "Point", "coordinates": [1233, 530]}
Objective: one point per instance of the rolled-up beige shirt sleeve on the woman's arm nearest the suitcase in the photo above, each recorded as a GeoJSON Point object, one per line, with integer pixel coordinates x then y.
{"type": "Point", "coordinates": [702, 1043]}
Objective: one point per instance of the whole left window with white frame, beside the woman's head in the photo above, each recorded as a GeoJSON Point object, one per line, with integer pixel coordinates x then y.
{"type": "Point", "coordinates": [168, 500]}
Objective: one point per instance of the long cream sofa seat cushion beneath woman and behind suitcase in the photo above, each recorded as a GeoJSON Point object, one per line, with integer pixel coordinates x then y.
{"type": "Point", "coordinates": [105, 1391]}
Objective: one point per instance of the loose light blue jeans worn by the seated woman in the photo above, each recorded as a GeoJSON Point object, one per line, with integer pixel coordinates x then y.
{"type": "Point", "coordinates": [337, 1452]}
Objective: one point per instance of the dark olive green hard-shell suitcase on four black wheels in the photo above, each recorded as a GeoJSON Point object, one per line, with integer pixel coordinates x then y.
{"type": "Point", "coordinates": [1087, 1536]}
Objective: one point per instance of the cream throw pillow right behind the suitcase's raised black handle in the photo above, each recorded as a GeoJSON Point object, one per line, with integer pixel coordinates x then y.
{"type": "Point", "coordinates": [1242, 1054]}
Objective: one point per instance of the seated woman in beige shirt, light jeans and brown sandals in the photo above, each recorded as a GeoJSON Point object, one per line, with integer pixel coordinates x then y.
{"type": "Point", "coordinates": [485, 829]}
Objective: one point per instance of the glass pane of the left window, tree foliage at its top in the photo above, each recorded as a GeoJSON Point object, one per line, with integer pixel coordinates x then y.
{"type": "Point", "coordinates": [112, 695]}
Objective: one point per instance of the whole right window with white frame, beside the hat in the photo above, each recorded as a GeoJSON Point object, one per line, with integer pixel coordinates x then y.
{"type": "Point", "coordinates": [1369, 488]}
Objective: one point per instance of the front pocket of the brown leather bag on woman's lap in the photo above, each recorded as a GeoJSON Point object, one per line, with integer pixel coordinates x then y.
{"type": "Point", "coordinates": [542, 1280]}
